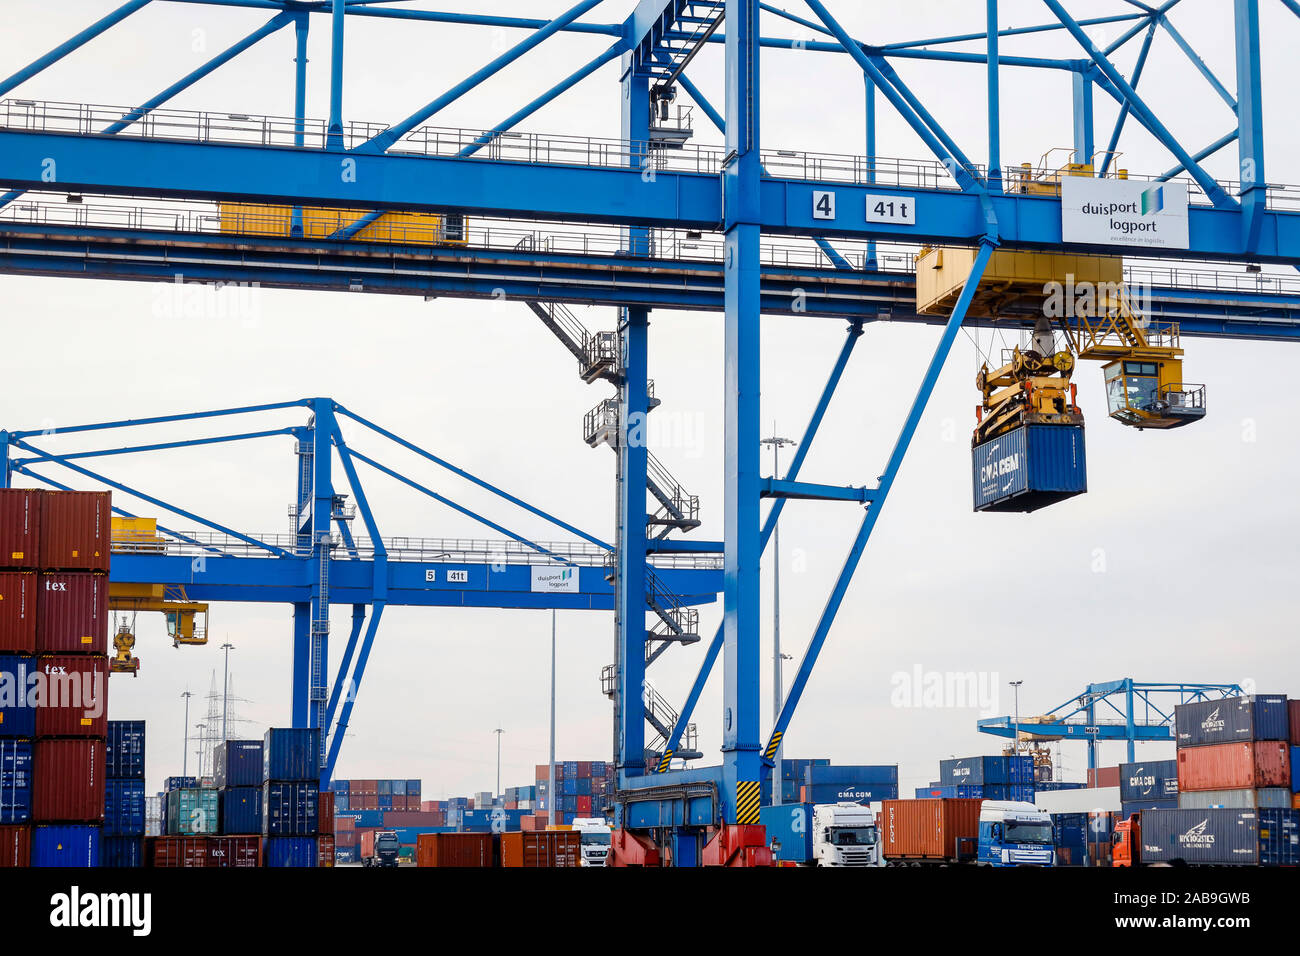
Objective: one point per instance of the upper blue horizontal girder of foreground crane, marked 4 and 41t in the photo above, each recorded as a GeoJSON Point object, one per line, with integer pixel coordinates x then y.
{"type": "Point", "coordinates": [128, 166]}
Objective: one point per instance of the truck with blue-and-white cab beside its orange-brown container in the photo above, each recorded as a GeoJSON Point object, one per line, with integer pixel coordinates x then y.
{"type": "Point", "coordinates": [946, 832]}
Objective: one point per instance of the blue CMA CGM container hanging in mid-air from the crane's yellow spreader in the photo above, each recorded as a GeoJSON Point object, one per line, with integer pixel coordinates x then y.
{"type": "Point", "coordinates": [1029, 469]}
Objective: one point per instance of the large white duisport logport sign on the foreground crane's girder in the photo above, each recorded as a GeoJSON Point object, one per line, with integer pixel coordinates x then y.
{"type": "Point", "coordinates": [1124, 213]}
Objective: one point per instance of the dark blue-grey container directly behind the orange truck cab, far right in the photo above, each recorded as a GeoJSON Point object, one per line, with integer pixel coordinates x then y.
{"type": "Point", "coordinates": [1243, 838]}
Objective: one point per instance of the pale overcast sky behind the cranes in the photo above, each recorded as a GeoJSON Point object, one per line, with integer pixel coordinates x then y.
{"type": "Point", "coordinates": [1178, 564]}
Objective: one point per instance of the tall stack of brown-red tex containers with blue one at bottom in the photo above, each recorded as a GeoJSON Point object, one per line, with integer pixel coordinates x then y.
{"type": "Point", "coordinates": [59, 546]}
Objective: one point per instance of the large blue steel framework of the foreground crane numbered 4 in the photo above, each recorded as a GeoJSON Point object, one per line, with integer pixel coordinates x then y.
{"type": "Point", "coordinates": [647, 220]}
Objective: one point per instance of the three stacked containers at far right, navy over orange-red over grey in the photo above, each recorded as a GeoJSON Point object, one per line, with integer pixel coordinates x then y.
{"type": "Point", "coordinates": [1234, 754]}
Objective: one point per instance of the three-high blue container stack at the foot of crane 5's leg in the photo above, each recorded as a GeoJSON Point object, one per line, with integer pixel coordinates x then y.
{"type": "Point", "coordinates": [291, 806]}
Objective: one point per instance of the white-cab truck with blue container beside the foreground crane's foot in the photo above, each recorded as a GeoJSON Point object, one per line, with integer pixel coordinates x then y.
{"type": "Point", "coordinates": [840, 834]}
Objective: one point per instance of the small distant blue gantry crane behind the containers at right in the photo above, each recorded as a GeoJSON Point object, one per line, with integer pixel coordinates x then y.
{"type": "Point", "coordinates": [1113, 711]}
